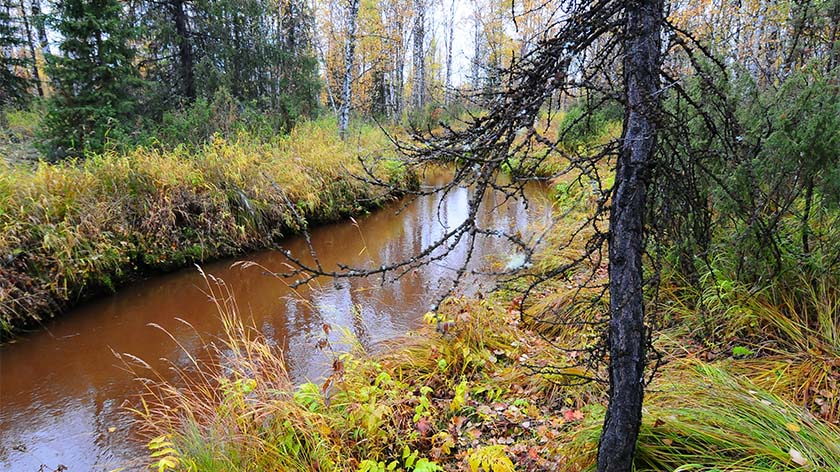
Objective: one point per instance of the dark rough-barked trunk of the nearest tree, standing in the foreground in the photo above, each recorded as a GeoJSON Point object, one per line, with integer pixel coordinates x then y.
{"type": "Point", "coordinates": [627, 337]}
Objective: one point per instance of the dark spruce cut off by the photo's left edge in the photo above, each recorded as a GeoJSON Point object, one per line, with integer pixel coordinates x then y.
{"type": "Point", "coordinates": [13, 87]}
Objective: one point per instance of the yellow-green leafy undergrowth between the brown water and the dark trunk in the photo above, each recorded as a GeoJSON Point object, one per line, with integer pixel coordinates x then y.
{"type": "Point", "coordinates": [430, 402]}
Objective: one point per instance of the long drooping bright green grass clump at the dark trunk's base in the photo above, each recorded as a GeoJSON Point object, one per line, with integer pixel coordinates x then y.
{"type": "Point", "coordinates": [699, 417]}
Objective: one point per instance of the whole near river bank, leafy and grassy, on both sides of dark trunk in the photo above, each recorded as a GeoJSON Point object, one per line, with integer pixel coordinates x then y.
{"type": "Point", "coordinates": [482, 388]}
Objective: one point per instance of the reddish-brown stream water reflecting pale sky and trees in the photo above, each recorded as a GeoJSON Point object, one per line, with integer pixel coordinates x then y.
{"type": "Point", "coordinates": [62, 390]}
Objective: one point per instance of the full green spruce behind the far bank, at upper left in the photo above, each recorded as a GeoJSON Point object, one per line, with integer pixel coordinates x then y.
{"type": "Point", "coordinates": [95, 77]}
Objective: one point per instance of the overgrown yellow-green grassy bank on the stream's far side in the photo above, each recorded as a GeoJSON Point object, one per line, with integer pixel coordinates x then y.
{"type": "Point", "coordinates": [71, 230]}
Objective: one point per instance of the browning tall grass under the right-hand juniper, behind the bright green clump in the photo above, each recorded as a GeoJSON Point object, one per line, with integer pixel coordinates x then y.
{"type": "Point", "coordinates": [785, 337]}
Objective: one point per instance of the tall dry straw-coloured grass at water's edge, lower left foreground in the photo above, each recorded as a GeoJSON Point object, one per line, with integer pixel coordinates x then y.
{"type": "Point", "coordinates": [233, 407]}
